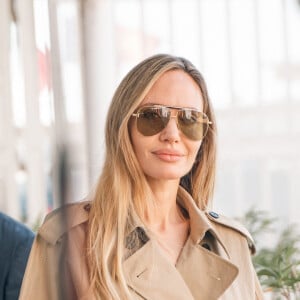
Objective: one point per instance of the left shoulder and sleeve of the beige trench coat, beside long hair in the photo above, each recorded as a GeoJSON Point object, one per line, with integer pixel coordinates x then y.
{"type": "Point", "coordinates": [47, 275]}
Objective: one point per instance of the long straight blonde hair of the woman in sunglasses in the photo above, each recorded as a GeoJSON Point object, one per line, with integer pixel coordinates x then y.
{"type": "Point", "coordinates": [118, 199]}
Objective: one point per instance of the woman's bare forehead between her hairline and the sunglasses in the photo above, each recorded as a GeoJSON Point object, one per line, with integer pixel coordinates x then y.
{"type": "Point", "coordinates": [175, 88]}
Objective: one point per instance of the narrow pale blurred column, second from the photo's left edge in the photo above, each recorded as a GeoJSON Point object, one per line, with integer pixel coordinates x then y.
{"type": "Point", "coordinates": [33, 130]}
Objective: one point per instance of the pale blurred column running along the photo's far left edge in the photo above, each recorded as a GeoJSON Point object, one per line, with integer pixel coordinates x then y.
{"type": "Point", "coordinates": [8, 194]}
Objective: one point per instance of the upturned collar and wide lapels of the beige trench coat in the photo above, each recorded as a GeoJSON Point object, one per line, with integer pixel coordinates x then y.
{"type": "Point", "coordinates": [198, 274]}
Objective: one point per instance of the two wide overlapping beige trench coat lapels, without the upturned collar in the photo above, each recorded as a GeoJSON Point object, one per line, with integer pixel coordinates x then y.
{"type": "Point", "coordinates": [199, 273]}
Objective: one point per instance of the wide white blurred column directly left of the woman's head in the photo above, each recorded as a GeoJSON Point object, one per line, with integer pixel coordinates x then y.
{"type": "Point", "coordinates": [100, 66]}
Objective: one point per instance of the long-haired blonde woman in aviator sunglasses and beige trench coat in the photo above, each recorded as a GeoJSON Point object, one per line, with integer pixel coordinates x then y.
{"type": "Point", "coordinates": [147, 232]}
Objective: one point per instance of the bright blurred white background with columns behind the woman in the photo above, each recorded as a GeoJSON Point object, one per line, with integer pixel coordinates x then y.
{"type": "Point", "coordinates": [61, 60]}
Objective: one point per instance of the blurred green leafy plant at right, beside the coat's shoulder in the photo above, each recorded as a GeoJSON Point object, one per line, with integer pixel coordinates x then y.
{"type": "Point", "coordinates": [278, 268]}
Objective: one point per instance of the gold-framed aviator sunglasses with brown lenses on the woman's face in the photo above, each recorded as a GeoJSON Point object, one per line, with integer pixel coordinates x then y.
{"type": "Point", "coordinates": [153, 119]}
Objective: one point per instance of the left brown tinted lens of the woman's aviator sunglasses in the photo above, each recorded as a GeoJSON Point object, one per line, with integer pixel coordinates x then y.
{"type": "Point", "coordinates": [152, 120]}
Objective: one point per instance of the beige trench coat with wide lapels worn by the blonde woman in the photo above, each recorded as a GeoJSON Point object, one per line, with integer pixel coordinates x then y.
{"type": "Point", "coordinates": [215, 262]}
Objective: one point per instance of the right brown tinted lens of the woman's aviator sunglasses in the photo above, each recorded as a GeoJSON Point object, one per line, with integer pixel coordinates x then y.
{"type": "Point", "coordinates": [193, 124]}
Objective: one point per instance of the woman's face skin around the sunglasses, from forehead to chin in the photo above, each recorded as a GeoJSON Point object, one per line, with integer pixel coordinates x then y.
{"type": "Point", "coordinates": [169, 154]}
